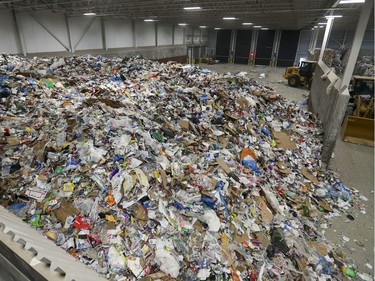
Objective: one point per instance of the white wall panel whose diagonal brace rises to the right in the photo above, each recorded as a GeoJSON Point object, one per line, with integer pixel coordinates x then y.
{"type": "Point", "coordinates": [93, 37]}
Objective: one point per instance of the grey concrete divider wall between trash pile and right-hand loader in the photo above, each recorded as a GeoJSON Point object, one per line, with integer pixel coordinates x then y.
{"type": "Point", "coordinates": [329, 104]}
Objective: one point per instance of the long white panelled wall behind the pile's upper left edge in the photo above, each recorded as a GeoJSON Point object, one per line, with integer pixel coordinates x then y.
{"type": "Point", "coordinates": [55, 33]}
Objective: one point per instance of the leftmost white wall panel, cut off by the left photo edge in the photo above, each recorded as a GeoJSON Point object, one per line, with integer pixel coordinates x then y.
{"type": "Point", "coordinates": [8, 41]}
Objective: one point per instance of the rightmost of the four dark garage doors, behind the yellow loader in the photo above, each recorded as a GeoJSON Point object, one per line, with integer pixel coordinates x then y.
{"type": "Point", "coordinates": [288, 47]}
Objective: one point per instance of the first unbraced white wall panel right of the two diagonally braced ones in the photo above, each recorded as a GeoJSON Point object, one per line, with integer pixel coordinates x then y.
{"type": "Point", "coordinates": [119, 33]}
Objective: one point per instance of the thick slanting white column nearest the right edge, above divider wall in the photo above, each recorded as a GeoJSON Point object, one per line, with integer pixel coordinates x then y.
{"type": "Point", "coordinates": [357, 42]}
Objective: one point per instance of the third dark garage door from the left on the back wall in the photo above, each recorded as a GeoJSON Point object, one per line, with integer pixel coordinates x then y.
{"type": "Point", "coordinates": [264, 47]}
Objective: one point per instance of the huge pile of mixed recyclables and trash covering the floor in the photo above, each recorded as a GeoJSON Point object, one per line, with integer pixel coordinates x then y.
{"type": "Point", "coordinates": [148, 171]}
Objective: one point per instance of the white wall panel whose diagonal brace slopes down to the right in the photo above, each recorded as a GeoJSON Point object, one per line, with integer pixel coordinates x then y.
{"type": "Point", "coordinates": [36, 38]}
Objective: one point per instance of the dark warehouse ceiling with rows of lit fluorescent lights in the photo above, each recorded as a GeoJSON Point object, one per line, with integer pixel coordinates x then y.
{"type": "Point", "coordinates": [272, 14]}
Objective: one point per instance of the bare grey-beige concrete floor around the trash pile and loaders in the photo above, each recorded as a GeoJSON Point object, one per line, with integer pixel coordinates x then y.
{"type": "Point", "coordinates": [354, 163]}
